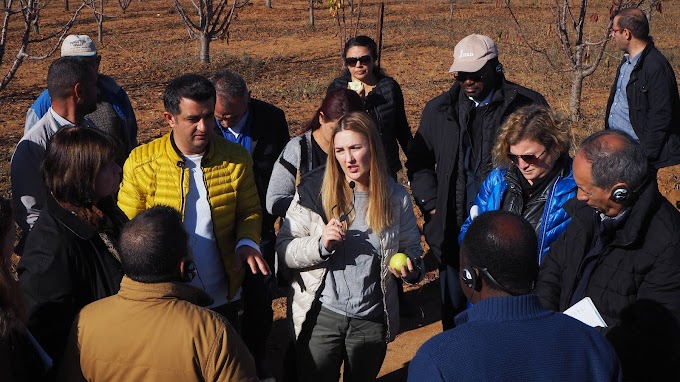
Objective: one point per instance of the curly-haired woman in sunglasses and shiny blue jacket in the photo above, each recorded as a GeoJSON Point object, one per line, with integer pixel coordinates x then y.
{"type": "Point", "coordinates": [533, 175]}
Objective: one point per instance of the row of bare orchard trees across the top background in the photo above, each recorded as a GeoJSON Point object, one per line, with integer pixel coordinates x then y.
{"type": "Point", "coordinates": [208, 20]}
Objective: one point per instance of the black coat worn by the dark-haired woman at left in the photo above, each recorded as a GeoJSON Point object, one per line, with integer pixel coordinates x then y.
{"type": "Point", "coordinates": [65, 266]}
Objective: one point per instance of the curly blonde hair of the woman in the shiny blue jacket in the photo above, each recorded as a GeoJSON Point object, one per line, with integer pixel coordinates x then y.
{"type": "Point", "coordinates": [537, 123]}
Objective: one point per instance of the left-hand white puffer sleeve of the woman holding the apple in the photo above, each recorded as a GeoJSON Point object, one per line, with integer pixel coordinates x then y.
{"type": "Point", "coordinates": [299, 237]}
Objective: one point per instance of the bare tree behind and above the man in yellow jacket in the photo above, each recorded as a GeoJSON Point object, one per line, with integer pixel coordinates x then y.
{"type": "Point", "coordinates": [213, 21]}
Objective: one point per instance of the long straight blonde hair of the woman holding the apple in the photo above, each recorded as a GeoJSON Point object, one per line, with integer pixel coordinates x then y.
{"type": "Point", "coordinates": [336, 194]}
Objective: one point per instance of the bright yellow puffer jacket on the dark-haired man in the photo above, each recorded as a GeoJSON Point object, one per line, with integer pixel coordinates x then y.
{"type": "Point", "coordinates": [156, 174]}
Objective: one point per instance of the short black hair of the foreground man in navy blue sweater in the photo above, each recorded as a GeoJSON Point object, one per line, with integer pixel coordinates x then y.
{"type": "Point", "coordinates": [505, 244]}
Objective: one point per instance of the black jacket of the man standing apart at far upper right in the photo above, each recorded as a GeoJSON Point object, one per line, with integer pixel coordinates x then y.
{"type": "Point", "coordinates": [654, 107]}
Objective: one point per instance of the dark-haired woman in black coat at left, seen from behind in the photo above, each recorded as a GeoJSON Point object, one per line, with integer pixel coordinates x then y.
{"type": "Point", "coordinates": [70, 258]}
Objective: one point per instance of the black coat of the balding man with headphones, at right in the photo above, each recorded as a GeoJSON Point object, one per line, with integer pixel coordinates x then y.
{"type": "Point", "coordinates": [641, 262]}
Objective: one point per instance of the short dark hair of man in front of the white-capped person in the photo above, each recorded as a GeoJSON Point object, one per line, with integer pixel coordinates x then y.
{"type": "Point", "coordinates": [64, 73]}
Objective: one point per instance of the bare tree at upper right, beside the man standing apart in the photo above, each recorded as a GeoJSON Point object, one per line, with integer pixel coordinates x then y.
{"type": "Point", "coordinates": [582, 56]}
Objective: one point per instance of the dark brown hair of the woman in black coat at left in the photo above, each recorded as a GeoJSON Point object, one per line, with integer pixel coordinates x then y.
{"type": "Point", "coordinates": [74, 158]}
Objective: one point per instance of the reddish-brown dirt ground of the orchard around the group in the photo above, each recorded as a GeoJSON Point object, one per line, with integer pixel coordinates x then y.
{"type": "Point", "coordinates": [290, 64]}
